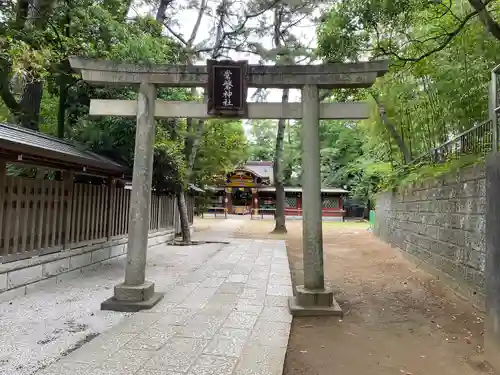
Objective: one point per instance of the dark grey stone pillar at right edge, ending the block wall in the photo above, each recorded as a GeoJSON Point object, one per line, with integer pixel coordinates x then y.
{"type": "Point", "coordinates": [492, 271]}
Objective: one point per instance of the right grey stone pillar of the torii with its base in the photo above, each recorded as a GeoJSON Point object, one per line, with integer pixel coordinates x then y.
{"type": "Point", "coordinates": [312, 298]}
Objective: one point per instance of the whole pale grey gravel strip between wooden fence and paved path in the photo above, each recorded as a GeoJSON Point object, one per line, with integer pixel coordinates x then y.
{"type": "Point", "coordinates": [51, 322]}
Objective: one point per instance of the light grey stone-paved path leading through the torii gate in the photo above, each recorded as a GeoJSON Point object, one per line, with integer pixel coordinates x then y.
{"type": "Point", "coordinates": [227, 316]}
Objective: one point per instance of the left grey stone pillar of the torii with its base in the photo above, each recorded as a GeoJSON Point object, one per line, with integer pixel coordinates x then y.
{"type": "Point", "coordinates": [136, 293]}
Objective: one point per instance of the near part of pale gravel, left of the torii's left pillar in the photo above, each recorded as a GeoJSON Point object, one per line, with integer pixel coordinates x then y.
{"type": "Point", "coordinates": [43, 326]}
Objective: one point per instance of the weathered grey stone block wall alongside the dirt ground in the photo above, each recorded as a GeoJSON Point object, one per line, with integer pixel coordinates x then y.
{"type": "Point", "coordinates": [442, 224]}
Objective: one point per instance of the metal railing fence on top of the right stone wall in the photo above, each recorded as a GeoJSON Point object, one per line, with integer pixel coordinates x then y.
{"type": "Point", "coordinates": [478, 141]}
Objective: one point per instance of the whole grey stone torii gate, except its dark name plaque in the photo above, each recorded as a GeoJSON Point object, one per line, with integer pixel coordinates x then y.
{"type": "Point", "coordinates": [312, 298]}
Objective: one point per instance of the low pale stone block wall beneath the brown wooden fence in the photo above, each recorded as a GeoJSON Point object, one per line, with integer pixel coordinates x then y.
{"type": "Point", "coordinates": [22, 277]}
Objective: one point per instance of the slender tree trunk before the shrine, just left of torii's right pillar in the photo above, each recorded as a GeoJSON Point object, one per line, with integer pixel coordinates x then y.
{"type": "Point", "coordinates": [280, 226]}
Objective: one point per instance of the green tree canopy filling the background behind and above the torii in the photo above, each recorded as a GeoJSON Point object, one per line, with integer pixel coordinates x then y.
{"type": "Point", "coordinates": [441, 56]}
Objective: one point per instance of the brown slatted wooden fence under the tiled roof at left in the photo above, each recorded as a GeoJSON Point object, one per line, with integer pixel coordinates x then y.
{"type": "Point", "coordinates": [42, 216]}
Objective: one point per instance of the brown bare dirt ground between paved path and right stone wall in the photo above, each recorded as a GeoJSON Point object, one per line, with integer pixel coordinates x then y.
{"type": "Point", "coordinates": [398, 319]}
